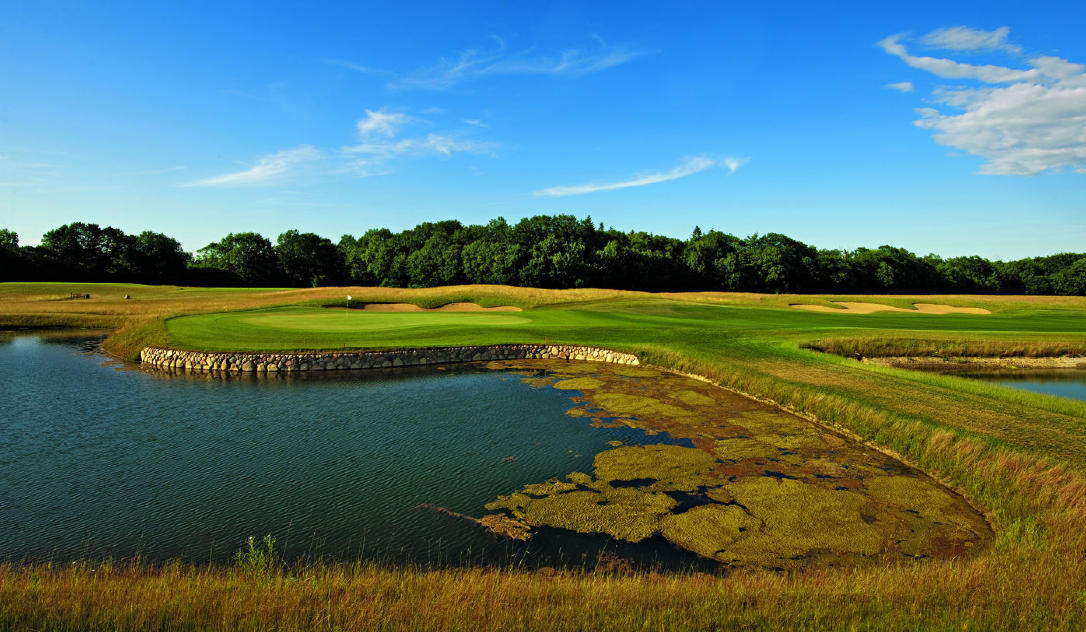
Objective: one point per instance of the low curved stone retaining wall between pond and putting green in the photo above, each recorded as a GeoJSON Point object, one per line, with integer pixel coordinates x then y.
{"type": "Point", "coordinates": [237, 362]}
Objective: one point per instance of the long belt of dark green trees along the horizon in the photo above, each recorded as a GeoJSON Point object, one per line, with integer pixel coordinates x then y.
{"type": "Point", "coordinates": [545, 251]}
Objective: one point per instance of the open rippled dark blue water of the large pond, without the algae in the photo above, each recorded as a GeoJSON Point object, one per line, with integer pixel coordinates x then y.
{"type": "Point", "coordinates": [102, 461]}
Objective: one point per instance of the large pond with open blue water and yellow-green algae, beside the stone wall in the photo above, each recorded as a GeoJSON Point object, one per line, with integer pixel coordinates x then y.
{"type": "Point", "coordinates": [584, 462]}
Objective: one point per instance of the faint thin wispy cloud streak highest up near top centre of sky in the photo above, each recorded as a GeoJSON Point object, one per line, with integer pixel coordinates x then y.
{"type": "Point", "coordinates": [476, 64]}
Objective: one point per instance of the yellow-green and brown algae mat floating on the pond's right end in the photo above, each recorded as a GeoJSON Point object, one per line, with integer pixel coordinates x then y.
{"type": "Point", "coordinates": [743, 484]}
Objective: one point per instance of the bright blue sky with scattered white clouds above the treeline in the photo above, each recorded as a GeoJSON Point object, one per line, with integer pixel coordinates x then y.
{"type": "Point", "coordinates": [955, 129]}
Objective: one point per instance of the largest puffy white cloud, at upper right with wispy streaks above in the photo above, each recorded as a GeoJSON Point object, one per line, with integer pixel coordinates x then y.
{"type": "Point", "coordinates": [1033, 124]}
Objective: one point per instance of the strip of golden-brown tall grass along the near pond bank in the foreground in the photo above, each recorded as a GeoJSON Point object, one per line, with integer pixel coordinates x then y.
{"type": "Point", "coordinates": [369, 597]}
